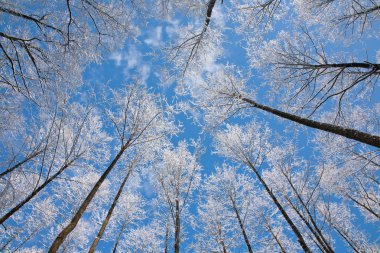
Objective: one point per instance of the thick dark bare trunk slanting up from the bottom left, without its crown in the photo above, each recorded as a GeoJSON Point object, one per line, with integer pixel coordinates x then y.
{"type": "Point", "coordinates": [70, 227]}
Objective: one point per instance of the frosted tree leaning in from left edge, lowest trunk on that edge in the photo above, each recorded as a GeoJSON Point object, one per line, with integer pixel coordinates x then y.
{"type": "Point", "coordinates": [65, 144]}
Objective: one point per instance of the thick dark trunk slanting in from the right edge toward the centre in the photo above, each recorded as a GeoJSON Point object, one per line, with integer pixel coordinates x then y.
{"type": "Point", "coordinates": [366, 138]}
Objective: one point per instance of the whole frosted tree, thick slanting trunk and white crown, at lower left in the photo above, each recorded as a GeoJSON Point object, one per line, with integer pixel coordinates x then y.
{"type": "Point", "coordinates": [137, 119]}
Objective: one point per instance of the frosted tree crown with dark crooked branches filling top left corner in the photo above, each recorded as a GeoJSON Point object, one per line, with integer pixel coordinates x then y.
{"type": "Point", "coordinates": [43, 43]}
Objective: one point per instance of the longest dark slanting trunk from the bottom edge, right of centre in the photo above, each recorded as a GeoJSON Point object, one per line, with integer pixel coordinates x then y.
{"type": "Point", "coordinates": [281, 209]}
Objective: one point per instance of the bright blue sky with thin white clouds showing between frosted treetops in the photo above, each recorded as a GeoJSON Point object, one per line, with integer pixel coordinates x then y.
{"type": "Point", "coordinates": [144, 59]}
